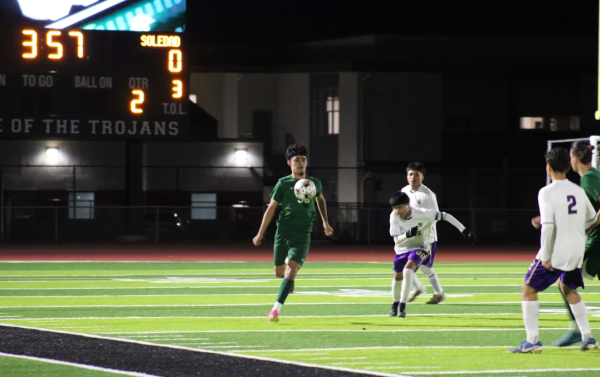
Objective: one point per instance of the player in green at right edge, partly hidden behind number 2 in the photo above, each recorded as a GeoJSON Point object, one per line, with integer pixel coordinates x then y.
{"type": "Point", "coordinates": [581, 162]}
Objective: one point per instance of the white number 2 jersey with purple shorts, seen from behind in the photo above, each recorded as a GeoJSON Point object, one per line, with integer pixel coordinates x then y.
{"type": "Point", "coordinates": [565, 214]}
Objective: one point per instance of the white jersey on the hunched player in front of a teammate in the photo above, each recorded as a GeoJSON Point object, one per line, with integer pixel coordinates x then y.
{"type": "Point", "coordinates": [423, 218]}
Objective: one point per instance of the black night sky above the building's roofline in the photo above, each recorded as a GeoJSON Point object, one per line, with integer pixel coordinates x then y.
{"type": "Point", "coordinates": [273, 22]}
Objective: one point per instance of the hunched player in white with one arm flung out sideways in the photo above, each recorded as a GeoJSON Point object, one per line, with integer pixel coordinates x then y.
{"type": "Point", "coordinates": [411, 229]}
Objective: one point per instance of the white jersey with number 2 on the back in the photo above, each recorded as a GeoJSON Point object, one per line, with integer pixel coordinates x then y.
{"type": "Point", "coordinates": [565, 205]}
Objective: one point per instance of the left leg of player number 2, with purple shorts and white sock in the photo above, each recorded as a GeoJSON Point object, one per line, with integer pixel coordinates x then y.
{"type": "Point", "coordinates": [537, 279]}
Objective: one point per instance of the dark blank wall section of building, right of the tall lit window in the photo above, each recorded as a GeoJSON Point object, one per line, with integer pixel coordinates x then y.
{"type": "Point", "coordinates": [402, 117]}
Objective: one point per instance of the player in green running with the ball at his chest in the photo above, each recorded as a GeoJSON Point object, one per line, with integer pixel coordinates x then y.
{"type": "Point", "coordinates": [292, 239]}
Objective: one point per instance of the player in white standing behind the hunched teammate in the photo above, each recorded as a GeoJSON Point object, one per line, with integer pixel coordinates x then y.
{"type": "Point", "coordinates": [421, 196]}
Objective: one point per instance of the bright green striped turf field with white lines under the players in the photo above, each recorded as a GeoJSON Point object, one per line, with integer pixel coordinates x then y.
{"type": "Point", "coordinates": [338, 315]}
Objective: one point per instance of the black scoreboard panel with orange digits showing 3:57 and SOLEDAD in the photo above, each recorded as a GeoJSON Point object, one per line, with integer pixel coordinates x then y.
{"type": "Point", "coordinates": [89, 84]}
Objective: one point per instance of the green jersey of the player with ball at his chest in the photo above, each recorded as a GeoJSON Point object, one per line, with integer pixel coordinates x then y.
{"type": "Point", "coordinates": [295, 215]}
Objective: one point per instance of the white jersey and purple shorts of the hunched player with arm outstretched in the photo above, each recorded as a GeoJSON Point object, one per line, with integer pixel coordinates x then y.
{"type": "Point", "coordinates": [416, 248]}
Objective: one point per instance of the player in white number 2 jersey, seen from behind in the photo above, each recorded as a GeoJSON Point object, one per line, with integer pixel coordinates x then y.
{"type": "Point", "coordinates": [565, 214]}
